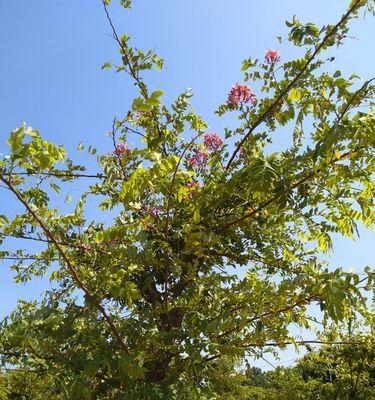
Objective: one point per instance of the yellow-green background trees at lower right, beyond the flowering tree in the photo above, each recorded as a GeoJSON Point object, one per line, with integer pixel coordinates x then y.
{"type": "Point", "coordinates": [329, 373]}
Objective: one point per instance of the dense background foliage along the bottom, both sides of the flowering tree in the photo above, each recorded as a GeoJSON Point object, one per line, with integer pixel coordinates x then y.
{"type": "Point", "coordinates": [339, 372]}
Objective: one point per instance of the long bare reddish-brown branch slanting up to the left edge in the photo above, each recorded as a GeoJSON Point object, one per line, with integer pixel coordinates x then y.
{"type": "Point", "coordinates": [68, 263]}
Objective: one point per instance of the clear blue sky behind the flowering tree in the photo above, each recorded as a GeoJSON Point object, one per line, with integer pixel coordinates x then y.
{"type": "Point", "coordinates": [50, 75]}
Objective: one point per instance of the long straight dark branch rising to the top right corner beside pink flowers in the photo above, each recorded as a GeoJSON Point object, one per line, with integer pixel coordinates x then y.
{"type": "Point", "coordinates": [290, 86]}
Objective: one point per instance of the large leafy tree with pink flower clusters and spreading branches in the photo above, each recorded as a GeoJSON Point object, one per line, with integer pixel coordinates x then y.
{"type": "Point", "coordinates": [160, 315]}
